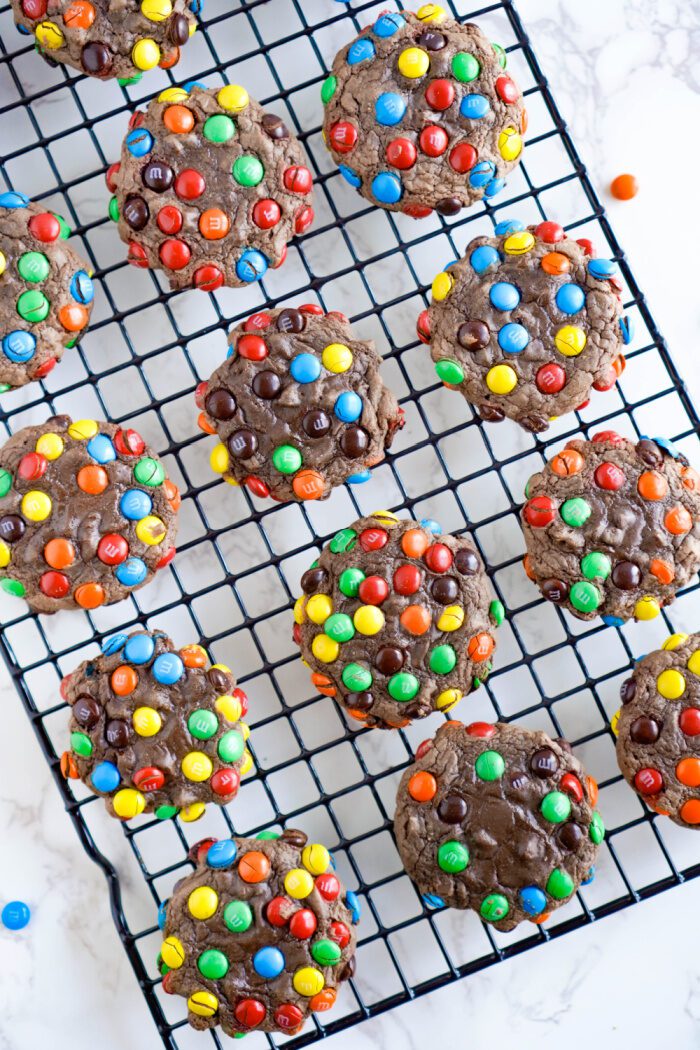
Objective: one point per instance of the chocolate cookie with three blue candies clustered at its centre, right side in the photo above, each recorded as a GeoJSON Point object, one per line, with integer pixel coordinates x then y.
{"type": "Point", "coordinates": [526, 324]}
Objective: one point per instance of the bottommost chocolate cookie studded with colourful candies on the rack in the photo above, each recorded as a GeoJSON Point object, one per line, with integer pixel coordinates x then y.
{"type": "Point", "coordinates": [260, 936]}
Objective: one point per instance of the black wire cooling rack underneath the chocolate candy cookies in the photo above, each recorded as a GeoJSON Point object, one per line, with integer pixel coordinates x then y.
{"type": "Point", "coordinates": [240, 560]}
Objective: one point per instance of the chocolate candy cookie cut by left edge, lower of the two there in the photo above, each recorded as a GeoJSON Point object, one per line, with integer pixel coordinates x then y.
{"type": "Point", "coordinates": [88, 515]}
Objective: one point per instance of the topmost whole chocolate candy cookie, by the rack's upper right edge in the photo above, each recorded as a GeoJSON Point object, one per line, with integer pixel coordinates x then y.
{"type": "Point", "coordinates": [420, 114]}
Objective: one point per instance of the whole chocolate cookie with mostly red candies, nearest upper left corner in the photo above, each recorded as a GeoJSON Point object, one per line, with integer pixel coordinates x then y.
{"type": "Point", "coordinates": [210, 188]}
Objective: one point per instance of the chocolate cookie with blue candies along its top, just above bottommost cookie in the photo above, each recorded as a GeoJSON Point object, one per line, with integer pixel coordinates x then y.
{"type": "Point", "coordinates": [156, 729]}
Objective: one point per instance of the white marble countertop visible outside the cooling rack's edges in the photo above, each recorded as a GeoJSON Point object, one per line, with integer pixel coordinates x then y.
{"type": "Point", "coordinates": [626, 77]}
